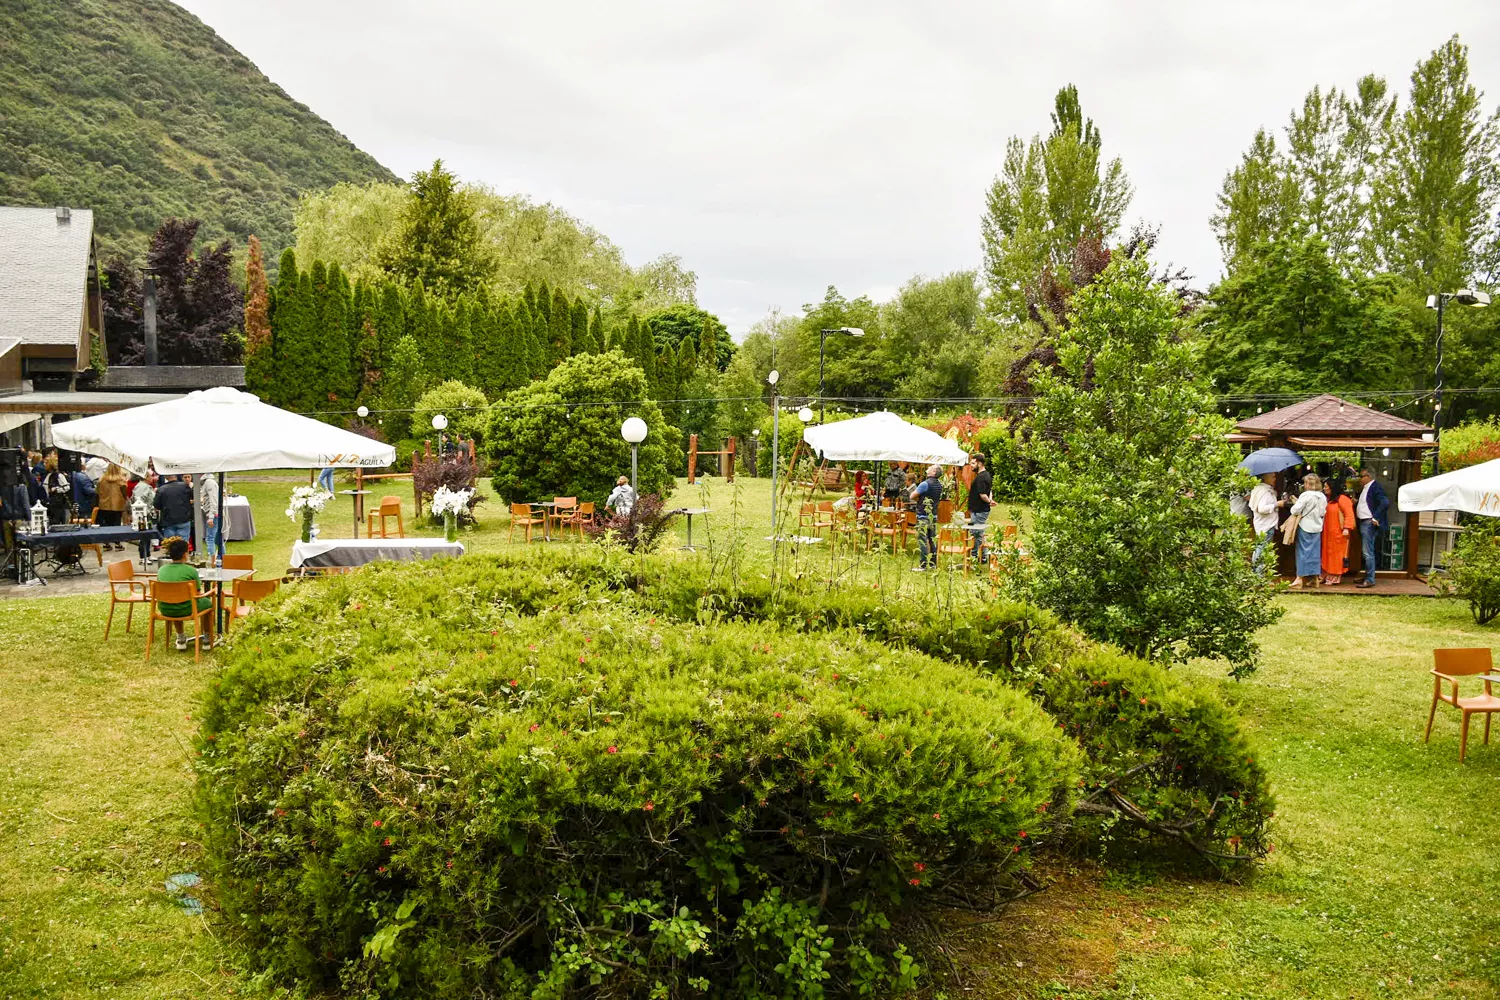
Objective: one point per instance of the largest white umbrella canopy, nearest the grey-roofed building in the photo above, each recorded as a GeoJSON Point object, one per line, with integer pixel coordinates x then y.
{"type": "Point", "coordinates": [218, 431]}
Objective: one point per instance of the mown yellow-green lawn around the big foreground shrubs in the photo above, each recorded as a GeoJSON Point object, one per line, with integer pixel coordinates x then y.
{"type": "Point", "coordinates": [1382, 884]}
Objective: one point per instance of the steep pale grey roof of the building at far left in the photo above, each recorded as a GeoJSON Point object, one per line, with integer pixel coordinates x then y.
{"type": "Point", "coordinates": [44, 274]}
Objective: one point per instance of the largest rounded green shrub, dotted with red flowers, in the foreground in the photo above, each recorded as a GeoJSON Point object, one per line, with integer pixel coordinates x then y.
{"type": "Point", "coordinates": [409, 789]}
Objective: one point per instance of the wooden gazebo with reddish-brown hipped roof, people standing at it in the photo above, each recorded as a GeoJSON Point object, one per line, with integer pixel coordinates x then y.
{"type": "Point", "coordinates": [1388, 445]}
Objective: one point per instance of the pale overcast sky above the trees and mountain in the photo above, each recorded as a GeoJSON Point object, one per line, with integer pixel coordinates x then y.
{"type": "Point", "coordinates": [784, 148]}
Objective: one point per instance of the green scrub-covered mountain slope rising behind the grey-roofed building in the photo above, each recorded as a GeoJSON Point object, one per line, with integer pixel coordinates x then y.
{"type": "Point", "coordinates": [139, 110]}
